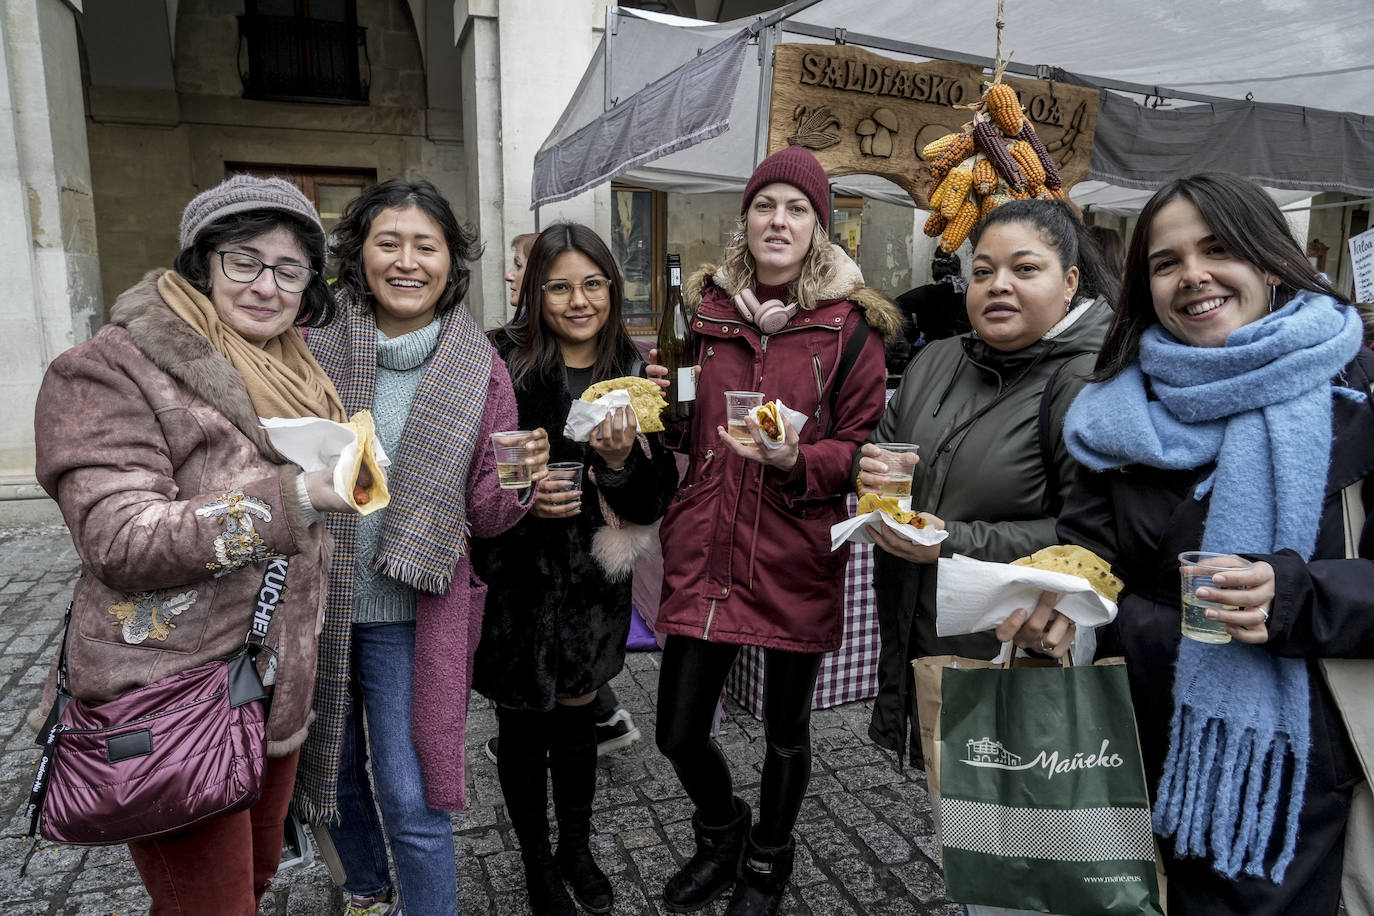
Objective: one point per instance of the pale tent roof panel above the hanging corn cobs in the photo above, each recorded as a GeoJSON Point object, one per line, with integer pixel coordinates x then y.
{"type": "Point", "coordinates": [1305, 53]}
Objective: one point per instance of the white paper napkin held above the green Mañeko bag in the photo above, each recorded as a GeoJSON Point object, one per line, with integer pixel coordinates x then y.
{"type": "Point", "coordinates": [973, 597]}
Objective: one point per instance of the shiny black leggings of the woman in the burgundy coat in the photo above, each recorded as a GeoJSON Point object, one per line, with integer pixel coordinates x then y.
{"type": "Point", "coordinates": [690, 683]}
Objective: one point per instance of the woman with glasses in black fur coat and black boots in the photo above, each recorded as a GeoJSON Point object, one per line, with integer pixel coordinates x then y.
{"type": "Point", "coordinates": [559, 602]}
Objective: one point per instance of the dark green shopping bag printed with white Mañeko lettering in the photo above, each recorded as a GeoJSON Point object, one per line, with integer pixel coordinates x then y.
{"type": "Point", "coordinates": [1044, 801]}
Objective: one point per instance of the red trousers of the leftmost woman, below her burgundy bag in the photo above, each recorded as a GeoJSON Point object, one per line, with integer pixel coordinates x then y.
{"type": "Point", "coordinates": [226, 866]}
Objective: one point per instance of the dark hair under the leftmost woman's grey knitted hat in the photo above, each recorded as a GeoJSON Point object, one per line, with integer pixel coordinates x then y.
{"type": "Point", "coordinates": [200, 262]}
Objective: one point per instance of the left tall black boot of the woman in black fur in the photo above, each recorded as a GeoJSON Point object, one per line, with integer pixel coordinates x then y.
{"type": "Point", "coordinates": [523, 775]}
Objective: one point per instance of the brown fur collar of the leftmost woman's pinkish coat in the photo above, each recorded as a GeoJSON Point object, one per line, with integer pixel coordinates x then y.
{"type": "Point", "coordinates": [175, 348]}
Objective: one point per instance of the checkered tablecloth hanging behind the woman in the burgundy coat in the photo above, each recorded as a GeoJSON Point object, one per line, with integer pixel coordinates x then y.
{"type": "Point", "coordinates": [847, 675]}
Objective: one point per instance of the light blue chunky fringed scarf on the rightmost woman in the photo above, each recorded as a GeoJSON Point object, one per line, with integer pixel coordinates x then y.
{"type": "Point", "coordinates": [1259, 410]}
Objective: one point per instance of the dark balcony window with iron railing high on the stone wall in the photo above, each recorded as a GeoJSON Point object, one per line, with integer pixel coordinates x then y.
{"type": "Point", "coordinates": [304, 51]}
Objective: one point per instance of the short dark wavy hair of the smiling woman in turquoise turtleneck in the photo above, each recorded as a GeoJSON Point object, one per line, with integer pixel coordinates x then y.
{"type": "Point", "coordinates": [357, 225]}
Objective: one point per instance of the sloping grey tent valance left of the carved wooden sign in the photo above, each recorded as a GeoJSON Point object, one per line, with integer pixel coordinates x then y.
{"type": "Point", "coordinates": [677, 112]}
